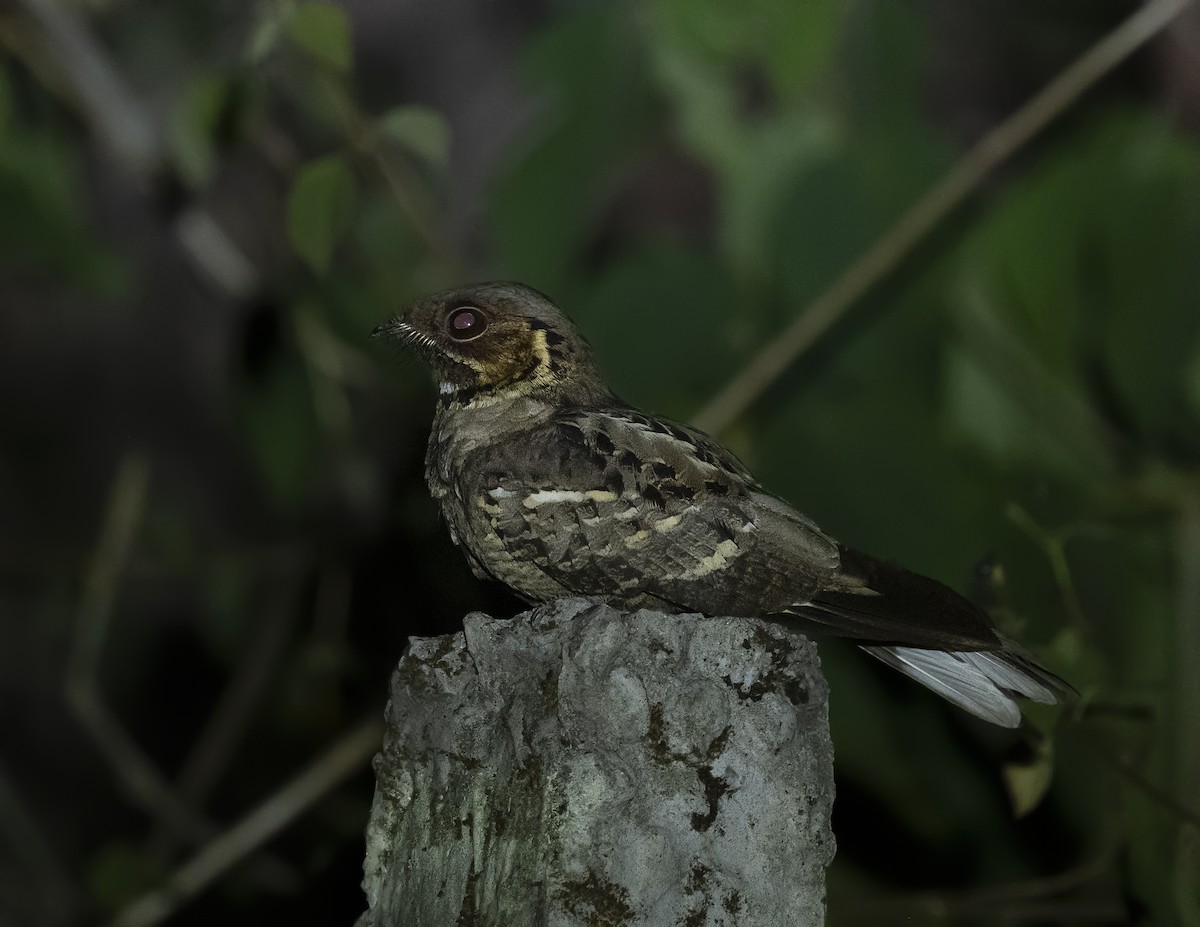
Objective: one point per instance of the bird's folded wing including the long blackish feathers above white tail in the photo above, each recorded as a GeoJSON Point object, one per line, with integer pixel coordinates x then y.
{"type": "Point", "coordinates": [622, 505]}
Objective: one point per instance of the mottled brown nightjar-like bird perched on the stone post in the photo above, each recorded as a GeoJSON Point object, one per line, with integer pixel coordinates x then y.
{"type": "Point", "coordinates": [555, 487]}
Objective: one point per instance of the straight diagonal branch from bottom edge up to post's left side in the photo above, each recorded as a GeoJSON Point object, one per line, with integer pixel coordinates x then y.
{"type": "Point", "coordinates": [345, 758]}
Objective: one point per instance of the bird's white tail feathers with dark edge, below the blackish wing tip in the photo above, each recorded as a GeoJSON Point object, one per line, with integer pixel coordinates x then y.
{"type": "Point", "coordinates": [983, 683]}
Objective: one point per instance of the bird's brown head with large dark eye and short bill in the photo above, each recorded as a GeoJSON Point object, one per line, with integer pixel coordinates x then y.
{"type": "Point", "coordinates": [499, 338]}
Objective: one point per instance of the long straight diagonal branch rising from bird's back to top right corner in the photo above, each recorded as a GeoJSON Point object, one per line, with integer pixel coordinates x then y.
{"type": "Point", "coordinates": [928, 213]}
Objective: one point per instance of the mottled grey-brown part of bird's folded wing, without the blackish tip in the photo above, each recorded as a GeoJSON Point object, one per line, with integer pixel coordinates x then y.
{"type": "Point", "coordinates": [622, 505]}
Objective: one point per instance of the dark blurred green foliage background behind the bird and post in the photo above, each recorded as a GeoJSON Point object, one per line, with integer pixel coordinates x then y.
{"type": "Point", "coordinates": [1017, 412]}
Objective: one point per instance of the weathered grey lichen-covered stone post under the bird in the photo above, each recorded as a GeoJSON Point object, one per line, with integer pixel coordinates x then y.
{"type": "Point", "coordinates": [577, 765]}
